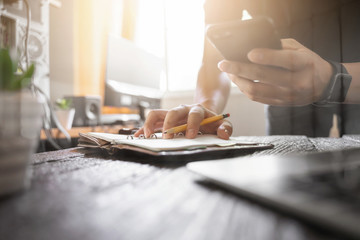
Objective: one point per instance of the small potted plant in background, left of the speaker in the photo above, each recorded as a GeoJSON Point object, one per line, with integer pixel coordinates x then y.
{"type": "Point", "coordinates": [64, 112]}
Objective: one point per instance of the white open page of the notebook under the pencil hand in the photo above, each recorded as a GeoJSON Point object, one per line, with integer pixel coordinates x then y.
{"type": "Point", "coordinates": [159, 144]}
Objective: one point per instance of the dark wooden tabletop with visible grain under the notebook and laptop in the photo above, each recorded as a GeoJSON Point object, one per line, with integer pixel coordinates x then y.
{"type": "Point", "coordinates": [82, 194]}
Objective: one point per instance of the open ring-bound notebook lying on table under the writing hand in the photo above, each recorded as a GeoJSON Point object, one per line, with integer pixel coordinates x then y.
{"type": "Point", "coordinates": [204, 146]}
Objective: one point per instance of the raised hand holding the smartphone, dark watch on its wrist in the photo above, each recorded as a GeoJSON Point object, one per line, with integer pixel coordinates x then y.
{"type": "Point", "coordinates": [292, 76]}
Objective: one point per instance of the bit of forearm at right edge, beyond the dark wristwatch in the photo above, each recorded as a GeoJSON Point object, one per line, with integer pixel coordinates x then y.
{"type": "Point", "coordinates": [353, 95]}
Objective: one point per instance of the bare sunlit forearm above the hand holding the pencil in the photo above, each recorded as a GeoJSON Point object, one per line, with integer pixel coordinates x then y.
{"type": "Point", "coordinates": [213, 88]}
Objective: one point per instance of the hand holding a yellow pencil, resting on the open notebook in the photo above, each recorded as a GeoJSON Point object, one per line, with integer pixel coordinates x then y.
{"type": "Point", "coordinates": [190, 114]}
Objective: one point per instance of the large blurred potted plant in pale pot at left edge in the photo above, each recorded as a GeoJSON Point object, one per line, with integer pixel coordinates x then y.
{"type": "Point", "coordinates": [20, 124]}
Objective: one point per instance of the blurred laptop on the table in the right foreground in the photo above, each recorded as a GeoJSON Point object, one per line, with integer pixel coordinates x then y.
{"type": "Point", "coordinates": [323, 188]}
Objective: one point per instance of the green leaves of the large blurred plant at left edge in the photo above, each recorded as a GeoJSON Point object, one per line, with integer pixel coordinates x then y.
{"type": "Point", "coordinates": [11, 77]}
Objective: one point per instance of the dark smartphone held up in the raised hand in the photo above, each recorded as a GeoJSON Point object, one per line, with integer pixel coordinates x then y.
{"type": "Point", "coordinates": [234, 39]}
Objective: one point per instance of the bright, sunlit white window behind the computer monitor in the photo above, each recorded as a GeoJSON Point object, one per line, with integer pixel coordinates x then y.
{"type": "Point", "coordinates": [173, 30]}
